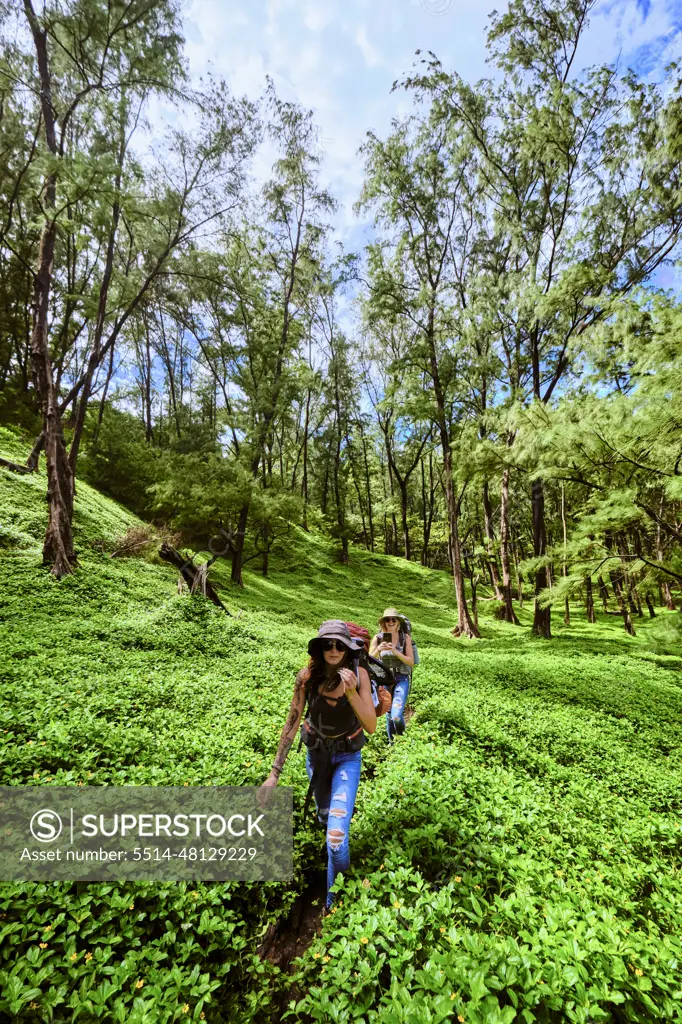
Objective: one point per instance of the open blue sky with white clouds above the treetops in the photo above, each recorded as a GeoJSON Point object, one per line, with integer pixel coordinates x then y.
{"type": "Point", "coordinates": [340, 58]}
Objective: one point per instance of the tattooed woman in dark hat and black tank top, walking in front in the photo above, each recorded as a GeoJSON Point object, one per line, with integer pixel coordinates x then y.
{"type": "Point", "coordinates": [339, 712]}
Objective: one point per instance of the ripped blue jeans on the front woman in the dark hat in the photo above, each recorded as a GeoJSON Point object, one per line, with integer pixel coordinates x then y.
{"type": "Point", "coordinates": [335, 799]}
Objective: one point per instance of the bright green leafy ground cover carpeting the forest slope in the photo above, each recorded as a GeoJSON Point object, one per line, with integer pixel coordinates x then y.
{"type": "Point", "coordinates": [517, 857]}
